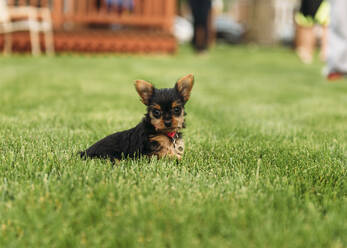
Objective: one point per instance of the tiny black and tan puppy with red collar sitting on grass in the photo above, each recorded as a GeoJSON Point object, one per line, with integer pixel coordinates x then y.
{"type": "Point", "coordinates": [159, 132]}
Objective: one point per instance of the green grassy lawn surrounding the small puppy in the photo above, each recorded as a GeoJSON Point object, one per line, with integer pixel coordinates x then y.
{"type": "Point", "coordinates": [265, 162]}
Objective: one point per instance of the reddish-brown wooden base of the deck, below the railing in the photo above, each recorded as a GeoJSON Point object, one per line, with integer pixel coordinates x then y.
{"type": "Point", "coordinates": [138, 42]}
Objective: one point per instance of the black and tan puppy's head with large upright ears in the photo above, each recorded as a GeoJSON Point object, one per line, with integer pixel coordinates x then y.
{"type": "Point", "coordinates": [166, 106]}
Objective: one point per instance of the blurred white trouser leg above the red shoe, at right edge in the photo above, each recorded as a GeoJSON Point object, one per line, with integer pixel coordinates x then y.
{"type": "Point", "coordinates": [337, 38]}
